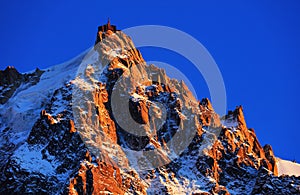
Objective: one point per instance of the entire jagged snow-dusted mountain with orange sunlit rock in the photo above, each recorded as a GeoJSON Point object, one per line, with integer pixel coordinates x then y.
{"type": "Point", "coordinates": [106, 122]}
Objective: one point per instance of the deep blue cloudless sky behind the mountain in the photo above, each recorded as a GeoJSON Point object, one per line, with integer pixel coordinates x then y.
{"type": "Point", "coordinates": [255, 44]}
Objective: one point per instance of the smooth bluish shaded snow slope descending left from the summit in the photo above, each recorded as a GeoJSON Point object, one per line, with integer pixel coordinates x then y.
{"type": "Point", "coordinates": [22, 109]}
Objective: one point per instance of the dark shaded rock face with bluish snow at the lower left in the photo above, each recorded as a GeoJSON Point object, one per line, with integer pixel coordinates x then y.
{"type": "Point", "coordinates": [51, 151]}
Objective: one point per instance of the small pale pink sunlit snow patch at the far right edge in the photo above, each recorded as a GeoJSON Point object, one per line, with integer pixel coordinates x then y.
{"type": "Point", "coordinates": [286, 167]}
